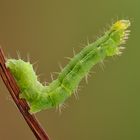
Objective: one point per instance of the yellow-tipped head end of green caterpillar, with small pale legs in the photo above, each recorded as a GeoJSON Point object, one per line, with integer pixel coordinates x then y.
{"type": "Point", "coordinates": [118, 35]}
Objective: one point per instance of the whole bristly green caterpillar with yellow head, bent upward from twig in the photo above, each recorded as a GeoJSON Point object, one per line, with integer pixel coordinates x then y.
{"type": "Point", "coordinates": [42, 97]}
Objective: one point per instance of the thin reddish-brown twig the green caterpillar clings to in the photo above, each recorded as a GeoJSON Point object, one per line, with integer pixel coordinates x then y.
{"type": "Point", "coordinates": [22, 105]}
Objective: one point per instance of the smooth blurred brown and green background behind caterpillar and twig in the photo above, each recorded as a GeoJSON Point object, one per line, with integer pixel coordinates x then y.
{"type": "Point", "coordinates": [109, 105]}
